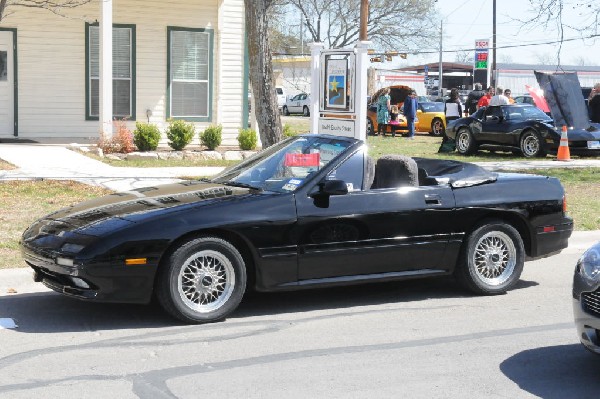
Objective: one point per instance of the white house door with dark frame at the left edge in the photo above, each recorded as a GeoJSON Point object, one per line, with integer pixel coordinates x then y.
{"type": "Point", "coordinates": [7, 106]}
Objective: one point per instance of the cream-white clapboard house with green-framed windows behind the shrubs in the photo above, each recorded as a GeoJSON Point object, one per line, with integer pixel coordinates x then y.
{"type": "Point", "coordinates": [181, 59]}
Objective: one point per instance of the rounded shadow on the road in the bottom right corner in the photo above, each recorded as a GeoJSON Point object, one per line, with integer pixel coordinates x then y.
{"type": "Point", "coordinates": [555, 372]}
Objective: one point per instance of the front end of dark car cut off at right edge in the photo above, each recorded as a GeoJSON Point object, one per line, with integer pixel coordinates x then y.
{"type": "Point", "coordinates": [586, 298]}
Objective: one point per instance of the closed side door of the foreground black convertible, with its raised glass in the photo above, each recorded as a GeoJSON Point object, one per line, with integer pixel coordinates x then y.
{"type": "Point", "coordinates": [369, 232]}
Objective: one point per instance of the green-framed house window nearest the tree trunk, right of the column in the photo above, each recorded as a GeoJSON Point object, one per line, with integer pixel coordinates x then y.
{"type": "Point", "coordinates": [189, 73]}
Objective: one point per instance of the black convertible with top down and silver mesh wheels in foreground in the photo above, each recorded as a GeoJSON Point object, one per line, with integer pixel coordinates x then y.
{"type": "Point", "coordinates": [310, 211]}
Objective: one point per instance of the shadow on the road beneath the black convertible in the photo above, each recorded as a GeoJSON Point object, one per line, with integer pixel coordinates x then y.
{"type": "Point", "coordinates": [50, 312]}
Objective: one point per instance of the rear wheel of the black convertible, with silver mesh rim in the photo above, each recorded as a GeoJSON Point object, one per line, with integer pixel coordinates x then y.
{"type": "Point", "coordinates": [491, 259]}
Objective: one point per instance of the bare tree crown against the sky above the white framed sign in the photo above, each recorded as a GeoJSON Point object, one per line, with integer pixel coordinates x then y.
{"type": "Point", "coordinates": [393, 24]}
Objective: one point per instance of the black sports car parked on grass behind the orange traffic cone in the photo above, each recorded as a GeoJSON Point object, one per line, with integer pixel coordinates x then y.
{"type": "Point", "coordinates": [521, 127]}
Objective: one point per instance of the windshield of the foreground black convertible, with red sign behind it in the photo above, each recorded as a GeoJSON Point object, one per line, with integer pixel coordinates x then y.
{"type": "Point", "coordinates": [285, 166]}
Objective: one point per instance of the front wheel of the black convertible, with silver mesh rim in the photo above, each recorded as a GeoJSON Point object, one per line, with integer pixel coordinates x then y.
{"type": "Point", "coordinates": [202, 281]}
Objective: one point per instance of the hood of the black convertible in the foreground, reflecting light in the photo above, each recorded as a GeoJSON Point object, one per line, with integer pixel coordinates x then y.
{"type": "Point", "coordinates": [112, 212]}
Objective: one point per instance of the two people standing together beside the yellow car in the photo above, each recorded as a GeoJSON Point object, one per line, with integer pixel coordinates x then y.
{"type": "Point", "coordinates": [387, 114]}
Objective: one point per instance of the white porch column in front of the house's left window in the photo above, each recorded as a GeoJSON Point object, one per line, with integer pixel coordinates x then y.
{"type": "Point", "coordinates": [106, 67]}
